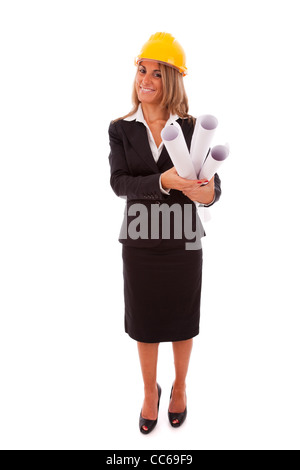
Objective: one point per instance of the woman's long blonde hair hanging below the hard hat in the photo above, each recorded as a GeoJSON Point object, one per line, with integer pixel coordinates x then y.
{"type": "Point", "coordinates": [174, 97]}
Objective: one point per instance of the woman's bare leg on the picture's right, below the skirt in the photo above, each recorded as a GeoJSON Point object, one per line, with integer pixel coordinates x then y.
{"type": "Point", "coordinates": [182, 352]}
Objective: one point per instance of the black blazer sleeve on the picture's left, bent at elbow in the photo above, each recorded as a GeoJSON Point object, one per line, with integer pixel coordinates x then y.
{"type": "Point", "coordinates": [122, 182]}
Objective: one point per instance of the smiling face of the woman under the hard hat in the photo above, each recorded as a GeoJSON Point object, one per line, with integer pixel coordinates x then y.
{"type": "Point", "coordinates": [148, 82]}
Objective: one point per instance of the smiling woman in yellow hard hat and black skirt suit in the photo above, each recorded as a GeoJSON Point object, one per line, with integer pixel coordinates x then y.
{"type": "Point", "coordinates": [162, 277]}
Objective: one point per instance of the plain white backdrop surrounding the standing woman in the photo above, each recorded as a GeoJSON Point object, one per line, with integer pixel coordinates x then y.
{"type": "Point", "coordinates": [70, 376]}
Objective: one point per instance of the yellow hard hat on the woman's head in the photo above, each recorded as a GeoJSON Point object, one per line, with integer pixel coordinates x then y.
{"type": "Point", "coordinates": [163, 47]}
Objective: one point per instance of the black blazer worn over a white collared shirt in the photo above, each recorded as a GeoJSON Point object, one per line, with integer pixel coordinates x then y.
{"type": "Point", "coordinates": [135, 176]}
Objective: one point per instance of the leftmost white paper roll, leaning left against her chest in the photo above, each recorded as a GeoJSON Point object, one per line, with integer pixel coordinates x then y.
{"type": "Point", "coordinates": [175, 144]}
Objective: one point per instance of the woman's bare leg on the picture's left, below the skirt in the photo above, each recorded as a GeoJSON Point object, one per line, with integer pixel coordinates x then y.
{"type": "Point", "coordinates": [148, 353]}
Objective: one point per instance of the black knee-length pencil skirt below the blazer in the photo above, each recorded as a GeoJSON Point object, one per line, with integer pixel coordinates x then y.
{"type": "Point", "coordinates": [162, 290]}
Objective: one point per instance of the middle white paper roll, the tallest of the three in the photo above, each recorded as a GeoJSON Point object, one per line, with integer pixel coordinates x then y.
{"type": "Point", "coordinates": [203, 133]}
